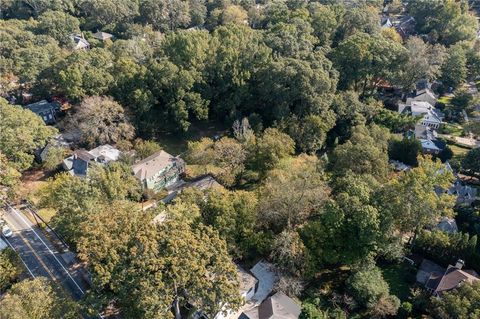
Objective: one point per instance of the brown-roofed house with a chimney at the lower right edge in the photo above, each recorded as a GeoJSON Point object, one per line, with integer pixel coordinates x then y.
{"type": "Point", "coordinates": [438, 280]}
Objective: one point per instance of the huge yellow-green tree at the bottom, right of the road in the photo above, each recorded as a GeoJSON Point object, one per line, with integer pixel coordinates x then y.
{"type": "Point", "coordinates": [150, 267]}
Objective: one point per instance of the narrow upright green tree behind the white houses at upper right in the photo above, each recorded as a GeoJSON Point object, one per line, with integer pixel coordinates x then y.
{"type": "Point", "coordinates": [454, 70]}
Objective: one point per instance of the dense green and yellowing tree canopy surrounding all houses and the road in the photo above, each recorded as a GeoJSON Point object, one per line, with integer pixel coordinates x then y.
{"type": "Point", "coordinates": [302, 97]}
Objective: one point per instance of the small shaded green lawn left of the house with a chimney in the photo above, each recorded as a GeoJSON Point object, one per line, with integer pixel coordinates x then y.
{"type": "Point", "coordinates": [399, 277]}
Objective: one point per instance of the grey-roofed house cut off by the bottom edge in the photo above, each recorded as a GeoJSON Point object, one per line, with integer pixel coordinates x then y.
{"type": "Point", "coordinates": [277, 306]}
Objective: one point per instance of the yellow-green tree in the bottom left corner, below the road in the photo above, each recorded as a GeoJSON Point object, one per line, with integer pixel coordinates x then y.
{"type": "Point", "coordinates": [36, 299]}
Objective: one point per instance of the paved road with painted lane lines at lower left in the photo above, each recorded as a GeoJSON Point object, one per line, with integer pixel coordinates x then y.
{"type": "Point", "coordinates": [39, 255]}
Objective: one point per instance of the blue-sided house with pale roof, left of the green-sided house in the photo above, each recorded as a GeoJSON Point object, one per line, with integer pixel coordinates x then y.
{"type": "Point", "coordinates": [81, 160]}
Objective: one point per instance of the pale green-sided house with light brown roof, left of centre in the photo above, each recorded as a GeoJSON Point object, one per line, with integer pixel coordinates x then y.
{"type": "Point", "coordinates": [159, 170]}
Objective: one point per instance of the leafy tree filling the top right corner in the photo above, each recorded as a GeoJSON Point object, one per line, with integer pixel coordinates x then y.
{"type": "Point", "coordinates": [445, 21]}
